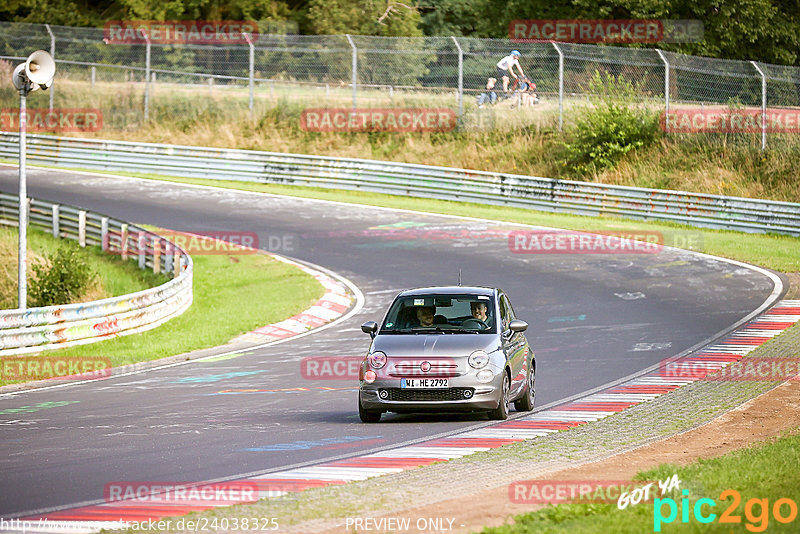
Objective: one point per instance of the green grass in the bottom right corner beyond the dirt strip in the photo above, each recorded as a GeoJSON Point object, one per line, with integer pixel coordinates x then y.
{"type": "Point", "coordinates": [767, 471]}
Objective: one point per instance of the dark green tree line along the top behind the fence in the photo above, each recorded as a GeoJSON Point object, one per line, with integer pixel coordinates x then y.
{"type": "Point", "coordinates": [762, 30]}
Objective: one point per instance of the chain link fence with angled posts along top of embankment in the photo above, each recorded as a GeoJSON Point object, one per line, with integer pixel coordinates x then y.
{"type": "Point", "coordinates": [145, 81]}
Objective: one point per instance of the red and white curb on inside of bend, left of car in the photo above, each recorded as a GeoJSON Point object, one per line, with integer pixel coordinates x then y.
{"type": "Point", "coordinates": [333, 304]}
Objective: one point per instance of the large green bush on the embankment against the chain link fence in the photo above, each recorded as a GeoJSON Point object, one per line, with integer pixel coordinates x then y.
{"type": "Point", "coordinates": [605, 133]}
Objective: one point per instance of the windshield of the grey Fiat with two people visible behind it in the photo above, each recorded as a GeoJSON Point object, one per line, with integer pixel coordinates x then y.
{"type": "Point", "coordinates": [446, 314]}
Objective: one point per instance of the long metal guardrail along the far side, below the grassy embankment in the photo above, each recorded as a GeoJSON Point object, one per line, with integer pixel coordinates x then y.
{"type": "Point", "coordinates": [565, 196]}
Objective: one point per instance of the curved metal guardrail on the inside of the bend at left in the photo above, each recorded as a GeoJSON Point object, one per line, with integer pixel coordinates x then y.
{"type": "Point", "coordinates": [52, 327]}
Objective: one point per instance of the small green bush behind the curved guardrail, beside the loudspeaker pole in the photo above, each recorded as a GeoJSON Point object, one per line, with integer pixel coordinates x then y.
{"type": "Point", "coordinates": [62, 279]}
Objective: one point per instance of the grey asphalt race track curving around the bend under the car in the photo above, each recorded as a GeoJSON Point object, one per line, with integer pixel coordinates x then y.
{"type": "Point", "coordinates": [594, 319]}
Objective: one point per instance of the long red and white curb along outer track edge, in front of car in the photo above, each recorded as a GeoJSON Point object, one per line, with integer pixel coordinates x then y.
{"type": "Point", "coordinates": [731, 348]}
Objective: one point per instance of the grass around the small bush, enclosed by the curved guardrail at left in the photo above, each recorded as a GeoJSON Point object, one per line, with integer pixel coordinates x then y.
{"type": "Point", "coordinates": [117, 277]}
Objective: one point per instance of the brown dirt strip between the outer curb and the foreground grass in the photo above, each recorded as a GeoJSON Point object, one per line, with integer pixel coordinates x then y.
{"type": "Point", "coordinates": [766, 416]}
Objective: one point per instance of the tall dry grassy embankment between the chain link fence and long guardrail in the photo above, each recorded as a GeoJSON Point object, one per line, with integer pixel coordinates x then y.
{"type": "Point", "coordinates": [524, 141]}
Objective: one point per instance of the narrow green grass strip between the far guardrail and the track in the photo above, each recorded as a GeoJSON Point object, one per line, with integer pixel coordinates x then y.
{"type": "Point", "coordinates": [781, 253]}
